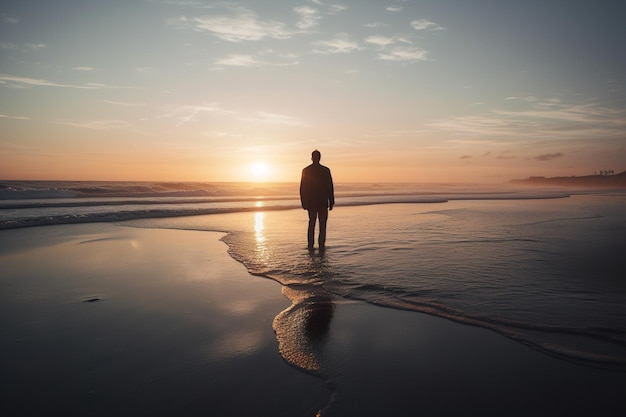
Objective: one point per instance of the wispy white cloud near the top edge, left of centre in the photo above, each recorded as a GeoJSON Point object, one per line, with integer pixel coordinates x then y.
{"type": "Point", "coordinates": [244, 25]}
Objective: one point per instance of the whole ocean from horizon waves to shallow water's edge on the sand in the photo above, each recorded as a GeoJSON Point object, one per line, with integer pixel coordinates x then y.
{"type": "Point", "coordinates": [543, 267]}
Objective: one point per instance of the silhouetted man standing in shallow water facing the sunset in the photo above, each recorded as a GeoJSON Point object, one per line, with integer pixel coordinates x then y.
{"type": "Point", "coordinates": [317, 196]}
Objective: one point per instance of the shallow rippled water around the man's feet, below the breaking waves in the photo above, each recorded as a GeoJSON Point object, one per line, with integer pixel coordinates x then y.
{"type": "Point", "coordinates": [548, 273]}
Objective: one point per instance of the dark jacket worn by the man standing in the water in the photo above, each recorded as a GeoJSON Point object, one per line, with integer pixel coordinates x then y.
{"type": "Point", "coordinates": [316, 187]}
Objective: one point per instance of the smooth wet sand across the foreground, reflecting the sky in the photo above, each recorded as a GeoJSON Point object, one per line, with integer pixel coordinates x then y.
{"type": "Point", "coordinates": [101, 319]}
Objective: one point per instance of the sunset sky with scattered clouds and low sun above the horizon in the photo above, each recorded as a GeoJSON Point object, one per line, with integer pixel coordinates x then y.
{"type": "Point", "coordinates": [479, 91]}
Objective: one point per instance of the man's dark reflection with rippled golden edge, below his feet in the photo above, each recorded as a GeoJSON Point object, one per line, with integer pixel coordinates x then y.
{"type": "Point", "coordinates": [302, 329]}
